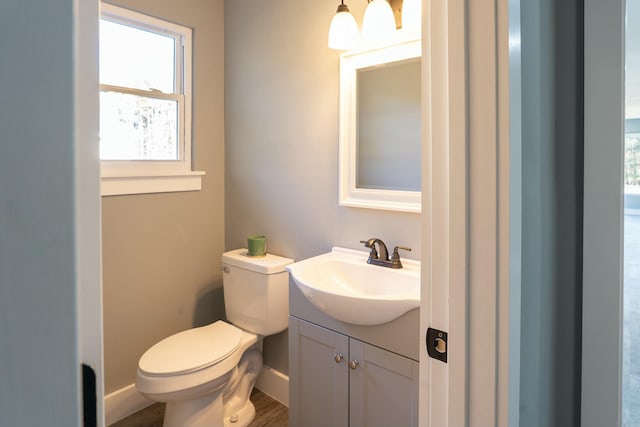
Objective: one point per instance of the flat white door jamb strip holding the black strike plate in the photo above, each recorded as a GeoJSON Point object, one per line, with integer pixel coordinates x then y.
{"type": "Point", "coordinates": [444, 210]}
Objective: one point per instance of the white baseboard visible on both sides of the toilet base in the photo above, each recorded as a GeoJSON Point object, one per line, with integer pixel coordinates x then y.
{"type": "Point", "coordinates": [127, 401]}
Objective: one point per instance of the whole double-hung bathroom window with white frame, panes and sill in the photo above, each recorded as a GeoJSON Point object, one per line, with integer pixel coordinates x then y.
{"type": "Point", "coordinates": [145, 104]}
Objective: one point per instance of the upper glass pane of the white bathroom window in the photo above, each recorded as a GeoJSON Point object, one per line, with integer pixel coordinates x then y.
{"type": "Point", "coordinates": [132, 57]}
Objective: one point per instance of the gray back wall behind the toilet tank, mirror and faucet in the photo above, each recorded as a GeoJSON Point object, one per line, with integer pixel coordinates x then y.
{"type": "Point", "coordinates": [281, 138]}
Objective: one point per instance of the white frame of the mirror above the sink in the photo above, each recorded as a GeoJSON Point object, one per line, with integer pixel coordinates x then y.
{"type": "Point", "coordinates": [350, 195]}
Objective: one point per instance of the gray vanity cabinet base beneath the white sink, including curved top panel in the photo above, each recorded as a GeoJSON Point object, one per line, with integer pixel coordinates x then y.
{"type": "Point", "coordinates": [341, 374]}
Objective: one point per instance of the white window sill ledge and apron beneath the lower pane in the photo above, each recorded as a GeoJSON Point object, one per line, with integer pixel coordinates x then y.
{"type": "Point", "coordinates": [123, 185]}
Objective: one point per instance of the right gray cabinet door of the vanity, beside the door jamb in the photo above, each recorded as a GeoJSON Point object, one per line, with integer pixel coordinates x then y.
{"type": "Point", "coordinates": [384, 388]}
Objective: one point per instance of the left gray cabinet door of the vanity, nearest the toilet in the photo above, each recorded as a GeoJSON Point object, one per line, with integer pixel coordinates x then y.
{"type": "Point", "coordinates": [318, 381]}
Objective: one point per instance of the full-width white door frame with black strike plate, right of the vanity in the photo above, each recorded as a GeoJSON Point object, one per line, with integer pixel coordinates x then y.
{"type": "Point", "coordinates": [466, 286]}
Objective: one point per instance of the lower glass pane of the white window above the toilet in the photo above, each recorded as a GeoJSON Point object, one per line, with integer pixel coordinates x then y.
{"type": "Point", "coordinates": [138, 128]}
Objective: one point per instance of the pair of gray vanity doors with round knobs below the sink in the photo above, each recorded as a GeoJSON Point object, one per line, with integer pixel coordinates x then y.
{"type": "Point", "coordinates": [339, 381]}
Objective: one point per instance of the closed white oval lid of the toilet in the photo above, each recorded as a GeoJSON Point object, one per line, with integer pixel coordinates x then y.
{"type": "Point", "coordinates": [191, 350]}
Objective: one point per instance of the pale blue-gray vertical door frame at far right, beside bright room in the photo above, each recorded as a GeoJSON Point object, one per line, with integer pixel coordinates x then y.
{"type": "Point", "coordinates": [603, 212]}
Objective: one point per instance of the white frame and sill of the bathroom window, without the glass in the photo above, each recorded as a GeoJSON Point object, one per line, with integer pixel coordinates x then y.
{"type": "Point", "coordinates": [143, 176]}
